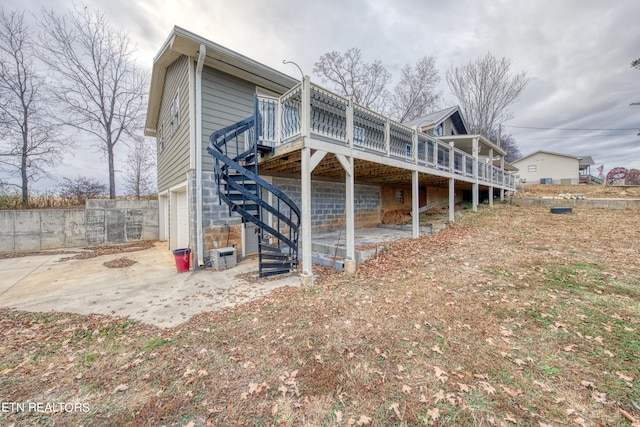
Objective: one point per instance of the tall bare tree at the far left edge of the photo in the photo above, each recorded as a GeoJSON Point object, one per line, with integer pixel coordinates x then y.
{"type": "Point", "coordinates": [28, 141]}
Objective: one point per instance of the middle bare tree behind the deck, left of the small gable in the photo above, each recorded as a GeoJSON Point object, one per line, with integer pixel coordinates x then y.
{"type": "Point", "coordinates": [415, 95]}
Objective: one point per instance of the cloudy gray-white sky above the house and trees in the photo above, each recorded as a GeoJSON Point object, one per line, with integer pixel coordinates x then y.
{"type": "Point", "coordinates": [576, 53]}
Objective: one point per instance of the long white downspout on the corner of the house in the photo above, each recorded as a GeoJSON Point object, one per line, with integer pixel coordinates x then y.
{"type": "Point", "coordinates": [198, 125]}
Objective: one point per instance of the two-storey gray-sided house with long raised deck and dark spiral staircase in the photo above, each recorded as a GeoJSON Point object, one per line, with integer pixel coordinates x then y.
{"type": "Point", "coordinates": [252, 158]}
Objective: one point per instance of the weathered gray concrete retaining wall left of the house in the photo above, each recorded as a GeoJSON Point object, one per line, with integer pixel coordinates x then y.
{"type": "Point", "coordinates": [101, 222]}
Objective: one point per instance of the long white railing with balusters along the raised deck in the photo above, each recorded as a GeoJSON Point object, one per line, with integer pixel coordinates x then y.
{"type": "Point", "coordinates": [336, 119]}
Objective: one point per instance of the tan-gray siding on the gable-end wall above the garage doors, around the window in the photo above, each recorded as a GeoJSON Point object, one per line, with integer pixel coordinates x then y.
{"type": "Point", "coordinates": [173, 160]}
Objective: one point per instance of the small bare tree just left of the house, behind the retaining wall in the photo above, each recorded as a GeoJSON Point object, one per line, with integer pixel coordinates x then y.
{"type": "Point", "coordinates": [139, 177]}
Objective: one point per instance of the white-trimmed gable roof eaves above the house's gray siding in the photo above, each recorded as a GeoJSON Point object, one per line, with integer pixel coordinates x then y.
{"type": "Point", "coordinates": [182, 42]}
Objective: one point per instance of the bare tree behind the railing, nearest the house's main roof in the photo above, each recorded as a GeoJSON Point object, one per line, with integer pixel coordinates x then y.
{"type": "Point", "coordinates": [351, 76]}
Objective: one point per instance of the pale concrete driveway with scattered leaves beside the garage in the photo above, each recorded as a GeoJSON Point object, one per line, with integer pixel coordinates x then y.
{"type": "Point", "coordinates": [150, 290]}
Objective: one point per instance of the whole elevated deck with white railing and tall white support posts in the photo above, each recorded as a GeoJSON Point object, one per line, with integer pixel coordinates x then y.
{"type": "Point", "coordinates": [317, 133]}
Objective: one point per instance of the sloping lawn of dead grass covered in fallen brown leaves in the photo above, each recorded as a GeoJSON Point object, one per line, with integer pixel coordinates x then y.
{"type": "Point", "coordinates": [513, 317]}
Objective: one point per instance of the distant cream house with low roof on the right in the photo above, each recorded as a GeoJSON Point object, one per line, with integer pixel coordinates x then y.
{"type": "Point", "coordinates": [546, 167]}
